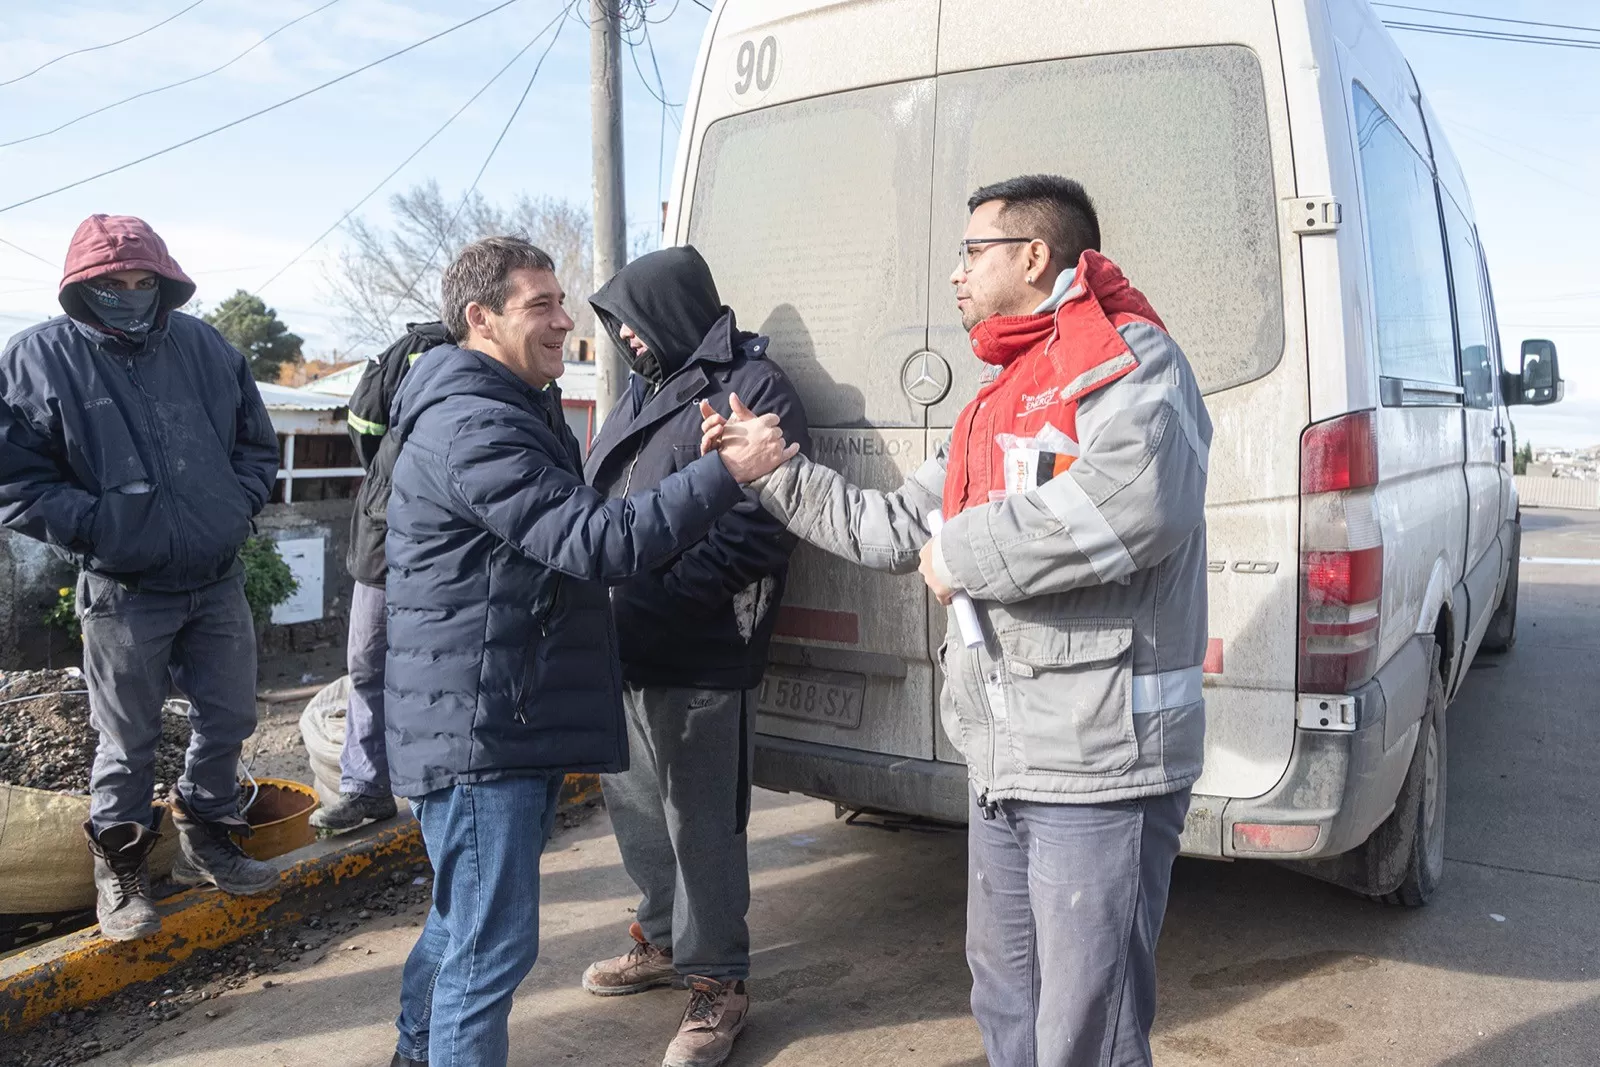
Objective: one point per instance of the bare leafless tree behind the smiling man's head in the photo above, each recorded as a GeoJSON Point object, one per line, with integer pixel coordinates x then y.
{"type": "Point", "coordinates": [388, 278]}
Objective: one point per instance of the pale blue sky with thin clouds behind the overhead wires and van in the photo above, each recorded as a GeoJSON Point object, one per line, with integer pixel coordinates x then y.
{"type": "Point", "coordinates": [241, 206]}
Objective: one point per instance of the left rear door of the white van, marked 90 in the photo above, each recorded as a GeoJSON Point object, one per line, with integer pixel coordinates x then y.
{"type": "Point", "coordinates": [809, 199]}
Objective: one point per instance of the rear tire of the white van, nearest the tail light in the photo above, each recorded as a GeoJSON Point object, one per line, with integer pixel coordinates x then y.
{"type": "Point", "coordinates": [1407, 852]}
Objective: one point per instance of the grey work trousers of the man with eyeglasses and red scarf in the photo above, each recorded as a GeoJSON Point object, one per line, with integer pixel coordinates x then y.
{"type": "Point", "coordinates": [1065, 906]}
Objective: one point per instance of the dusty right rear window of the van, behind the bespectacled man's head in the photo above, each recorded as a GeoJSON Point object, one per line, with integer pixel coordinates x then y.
{"type": "Point", "coordinates": [1174, 148]}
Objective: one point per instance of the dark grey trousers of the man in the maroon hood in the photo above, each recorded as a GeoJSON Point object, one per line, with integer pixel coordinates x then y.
{"type": "Point", "coordinates": [137, 647]}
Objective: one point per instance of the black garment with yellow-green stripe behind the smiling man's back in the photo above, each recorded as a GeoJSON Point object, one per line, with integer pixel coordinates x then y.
{"type": "Point", "coordinates": [378, 450]}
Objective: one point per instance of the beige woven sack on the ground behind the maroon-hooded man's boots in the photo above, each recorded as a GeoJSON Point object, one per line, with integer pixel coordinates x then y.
{"type": "Point", "coordinates": [46, 865]}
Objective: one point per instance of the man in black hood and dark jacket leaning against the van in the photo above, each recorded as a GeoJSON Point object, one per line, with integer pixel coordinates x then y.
{"type": "Point", "coordinates": [694, 634]}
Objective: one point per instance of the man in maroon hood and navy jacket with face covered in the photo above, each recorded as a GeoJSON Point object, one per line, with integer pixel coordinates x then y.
{"type": "Point", "coordinates": [135, 444]}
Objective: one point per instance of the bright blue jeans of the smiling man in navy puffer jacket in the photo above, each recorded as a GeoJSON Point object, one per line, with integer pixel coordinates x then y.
{"type": "Point", "coordinates": [484, 933]}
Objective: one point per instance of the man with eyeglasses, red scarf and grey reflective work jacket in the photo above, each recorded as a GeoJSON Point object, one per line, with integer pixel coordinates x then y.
{"type": "Point", "coordinates": [1073, 505]}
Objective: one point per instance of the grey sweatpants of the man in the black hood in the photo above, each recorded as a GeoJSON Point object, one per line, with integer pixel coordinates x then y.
{"type": "Point", "coordinates": [679, 815]}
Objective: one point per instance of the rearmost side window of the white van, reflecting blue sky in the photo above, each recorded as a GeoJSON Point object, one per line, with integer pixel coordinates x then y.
{"type": "Point", "coordinates": [1407, 247]}
